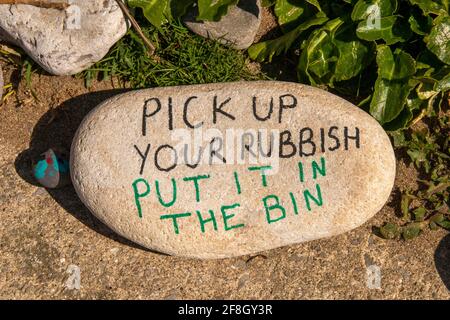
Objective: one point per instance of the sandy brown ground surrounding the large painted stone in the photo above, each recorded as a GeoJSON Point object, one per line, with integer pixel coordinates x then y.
{"type": "Point", "coordinates": [45, 235]}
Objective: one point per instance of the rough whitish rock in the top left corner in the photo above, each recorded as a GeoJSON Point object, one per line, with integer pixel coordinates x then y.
{"type": "Point", "coordinates": [67, 41]}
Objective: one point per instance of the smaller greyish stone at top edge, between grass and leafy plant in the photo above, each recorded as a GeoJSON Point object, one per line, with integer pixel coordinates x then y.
{"type": "Point", "coordinates": [237, 28]}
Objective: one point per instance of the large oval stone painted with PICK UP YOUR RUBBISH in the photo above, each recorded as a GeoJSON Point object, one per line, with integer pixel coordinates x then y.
{"type": "Point", "coordinates": [222, 170]}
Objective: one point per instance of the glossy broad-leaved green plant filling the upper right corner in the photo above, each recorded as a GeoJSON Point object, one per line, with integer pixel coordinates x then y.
{"type": "Point", "coordinates": [405, 43]}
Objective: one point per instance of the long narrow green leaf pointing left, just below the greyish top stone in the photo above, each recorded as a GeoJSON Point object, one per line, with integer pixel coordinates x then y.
{"type": "Point", "coordinates": [267, 49]}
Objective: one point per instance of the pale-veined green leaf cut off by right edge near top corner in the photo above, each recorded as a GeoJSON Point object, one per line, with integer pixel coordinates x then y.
{"type": "Point", "coordinates": [438, 41]}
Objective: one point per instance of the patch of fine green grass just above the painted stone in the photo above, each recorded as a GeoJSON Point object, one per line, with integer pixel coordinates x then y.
{"type": "Point", "coordinates": [185, 59]}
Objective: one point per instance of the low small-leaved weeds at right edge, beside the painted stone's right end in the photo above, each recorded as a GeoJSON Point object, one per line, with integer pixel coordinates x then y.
{"type": "Point", "coordinates": [428, 206]}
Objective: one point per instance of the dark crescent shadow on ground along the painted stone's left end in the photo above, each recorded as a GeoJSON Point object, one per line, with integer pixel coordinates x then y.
{"type": "Point", "coordinates": [55, 129]}
